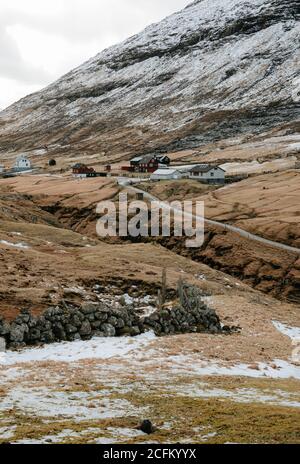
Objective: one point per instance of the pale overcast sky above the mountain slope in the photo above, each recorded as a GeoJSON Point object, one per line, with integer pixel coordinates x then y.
{"type": "Point", "coordinates": [40, 40]}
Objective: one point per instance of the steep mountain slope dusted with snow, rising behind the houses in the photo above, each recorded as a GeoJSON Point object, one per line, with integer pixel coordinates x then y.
{"type": "Point", "coordinates": [213, 70]}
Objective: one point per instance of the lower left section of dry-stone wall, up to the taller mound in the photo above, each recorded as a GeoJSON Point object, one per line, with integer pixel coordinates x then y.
{"type": "Point", "coordinates": [58, 324]}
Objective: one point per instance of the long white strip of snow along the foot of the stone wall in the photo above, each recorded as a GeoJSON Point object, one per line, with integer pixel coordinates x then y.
{"type": "Point", "coordinates": [143, 349]}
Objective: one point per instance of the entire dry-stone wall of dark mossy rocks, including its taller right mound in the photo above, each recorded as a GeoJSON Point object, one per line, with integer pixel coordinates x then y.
{"type": "Point", "coordinates": [191, 314]}
